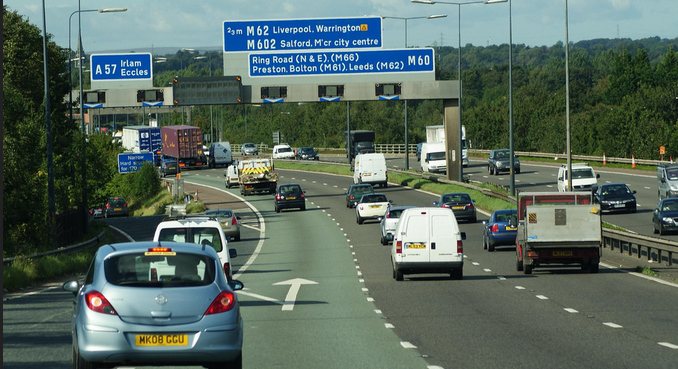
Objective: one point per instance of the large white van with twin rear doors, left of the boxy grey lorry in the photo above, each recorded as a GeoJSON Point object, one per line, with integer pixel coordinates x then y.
{"type": "Point", "coordinates": [427, 240]}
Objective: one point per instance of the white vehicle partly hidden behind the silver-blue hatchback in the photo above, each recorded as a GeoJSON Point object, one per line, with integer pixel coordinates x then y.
{"type": "Point", "coordinates": [200, 230]}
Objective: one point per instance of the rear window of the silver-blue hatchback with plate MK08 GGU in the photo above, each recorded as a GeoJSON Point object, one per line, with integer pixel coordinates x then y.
{"type": "Point", "coordinates": [168, 270]}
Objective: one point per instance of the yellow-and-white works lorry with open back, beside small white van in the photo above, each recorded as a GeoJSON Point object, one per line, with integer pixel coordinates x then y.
{"type": "Point", "coordinates": [256, 176]}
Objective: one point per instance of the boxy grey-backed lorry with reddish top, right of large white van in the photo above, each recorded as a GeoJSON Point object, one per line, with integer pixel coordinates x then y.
{"type": "Point", "coordinates": [557, 228]}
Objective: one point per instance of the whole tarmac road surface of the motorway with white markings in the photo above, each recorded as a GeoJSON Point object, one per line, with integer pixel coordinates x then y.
{"type": "Point", "coordinates": [319, 285]}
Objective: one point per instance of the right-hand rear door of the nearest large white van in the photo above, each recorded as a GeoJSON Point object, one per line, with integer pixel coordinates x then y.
{"type": "Point", "coordinates": [443, 239]}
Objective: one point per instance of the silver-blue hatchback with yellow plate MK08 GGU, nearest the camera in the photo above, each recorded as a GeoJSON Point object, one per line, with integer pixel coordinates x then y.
{"type": "Point", "coordinates": [152, 303]}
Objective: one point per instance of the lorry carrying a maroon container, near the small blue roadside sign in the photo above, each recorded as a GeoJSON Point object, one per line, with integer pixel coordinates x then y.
{"type": "Point", "coordinates": [184, 143]}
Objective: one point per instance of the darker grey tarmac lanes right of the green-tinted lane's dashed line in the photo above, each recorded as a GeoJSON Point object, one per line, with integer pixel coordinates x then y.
{"type": "Point", "coordinates": [499, 318]}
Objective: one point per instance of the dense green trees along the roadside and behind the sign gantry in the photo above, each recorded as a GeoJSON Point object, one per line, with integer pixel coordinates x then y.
{"type": "Point", "coordinates": [623, 102]}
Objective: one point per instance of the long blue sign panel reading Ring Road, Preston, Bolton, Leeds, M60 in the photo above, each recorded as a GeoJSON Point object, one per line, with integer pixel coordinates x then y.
{"type": "Point", "coordinates": [341, 62]}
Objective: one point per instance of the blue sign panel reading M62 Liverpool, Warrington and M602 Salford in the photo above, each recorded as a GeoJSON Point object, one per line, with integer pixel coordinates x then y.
{"type": "Point", "coordinates": [302, 34]}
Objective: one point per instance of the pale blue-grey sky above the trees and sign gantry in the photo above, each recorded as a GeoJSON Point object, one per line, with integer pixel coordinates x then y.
{"type": "Point", "coordinates": [198, 24]}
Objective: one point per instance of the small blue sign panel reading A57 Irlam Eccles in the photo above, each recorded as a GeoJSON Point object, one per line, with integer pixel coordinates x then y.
{"type": "Point", "coordinates": [121, 67]}
